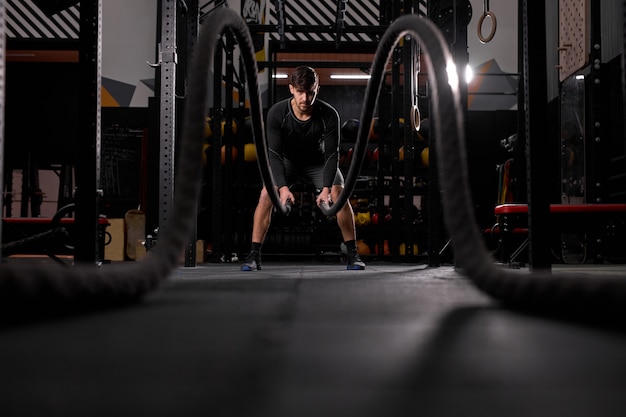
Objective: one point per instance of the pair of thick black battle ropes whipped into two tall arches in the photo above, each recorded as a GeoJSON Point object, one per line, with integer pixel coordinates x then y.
{"type": "Point", "coordinates": [88, 286]}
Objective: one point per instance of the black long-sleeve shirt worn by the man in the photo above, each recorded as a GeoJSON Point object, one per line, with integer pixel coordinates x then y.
{"type": "Point", "coordinates": [307, 143]}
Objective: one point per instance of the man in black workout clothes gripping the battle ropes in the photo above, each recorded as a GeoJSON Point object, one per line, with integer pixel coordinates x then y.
{"type": "Point", "coordinates": [303, 142]}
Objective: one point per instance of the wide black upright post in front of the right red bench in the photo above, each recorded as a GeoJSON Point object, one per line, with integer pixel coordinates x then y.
{"type": "Point", "coordinates": [535, 120]}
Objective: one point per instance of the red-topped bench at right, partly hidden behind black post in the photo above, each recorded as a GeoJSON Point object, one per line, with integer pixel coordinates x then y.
{"type": "Point", "coordinates": [600, 227]}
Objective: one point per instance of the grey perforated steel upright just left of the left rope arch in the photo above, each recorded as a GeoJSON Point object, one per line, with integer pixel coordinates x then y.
{"type": "Point", "coordinates": [168, 59]}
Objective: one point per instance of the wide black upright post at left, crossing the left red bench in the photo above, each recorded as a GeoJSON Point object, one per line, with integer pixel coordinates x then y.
{"type": "Point", "coordinates": [88, 149]}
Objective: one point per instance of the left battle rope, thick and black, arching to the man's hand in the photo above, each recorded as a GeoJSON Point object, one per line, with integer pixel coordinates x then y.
{"type": "Point", "coordinates": [87, 286]}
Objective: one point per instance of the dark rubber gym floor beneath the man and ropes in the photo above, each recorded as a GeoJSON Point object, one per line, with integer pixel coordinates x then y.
{"type": "Point", "coordinates": [302, 339]}
